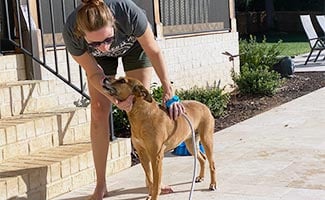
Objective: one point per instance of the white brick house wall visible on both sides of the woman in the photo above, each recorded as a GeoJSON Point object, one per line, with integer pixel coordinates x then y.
{"type": "Point", "coordinates": [192, 61]}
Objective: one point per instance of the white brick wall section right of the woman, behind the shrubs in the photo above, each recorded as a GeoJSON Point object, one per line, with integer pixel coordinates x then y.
{"type": "Point", "coordinates": [198, 60]}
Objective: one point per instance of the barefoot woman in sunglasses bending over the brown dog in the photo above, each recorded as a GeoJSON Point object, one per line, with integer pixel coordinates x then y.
{"type": "Point", "coordinates": [96, 34]}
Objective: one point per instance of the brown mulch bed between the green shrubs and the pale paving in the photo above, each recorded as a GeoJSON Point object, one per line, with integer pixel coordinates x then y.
{"type": "Point", "coordinates": [242, 107]}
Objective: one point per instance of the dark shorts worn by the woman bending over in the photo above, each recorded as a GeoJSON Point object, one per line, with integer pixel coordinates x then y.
{"type": "Point", "coordinates": [136, 58]}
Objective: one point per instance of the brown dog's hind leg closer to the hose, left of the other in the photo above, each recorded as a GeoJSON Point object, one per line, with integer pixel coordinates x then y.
{"type": "Point", "coordinates": [200, 156]}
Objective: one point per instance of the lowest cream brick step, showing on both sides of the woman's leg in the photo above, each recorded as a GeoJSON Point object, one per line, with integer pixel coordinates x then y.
{"type": "Point", "coordinates": [52, 172]}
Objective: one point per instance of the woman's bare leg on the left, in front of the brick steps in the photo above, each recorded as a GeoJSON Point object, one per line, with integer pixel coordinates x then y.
{"type": "Point", "coordinates": [99, 134]}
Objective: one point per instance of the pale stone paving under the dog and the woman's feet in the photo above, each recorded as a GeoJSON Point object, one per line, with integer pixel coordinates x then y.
{"type": "Point", "coordinates": [279, 154]}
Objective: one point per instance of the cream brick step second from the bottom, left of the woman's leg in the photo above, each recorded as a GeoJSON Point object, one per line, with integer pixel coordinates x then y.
{"type": "Point", "coordinates": [29, 133]}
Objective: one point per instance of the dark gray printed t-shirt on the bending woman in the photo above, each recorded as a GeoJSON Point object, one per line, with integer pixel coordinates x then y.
{"type": "Point", "coordinates": [130, 22]}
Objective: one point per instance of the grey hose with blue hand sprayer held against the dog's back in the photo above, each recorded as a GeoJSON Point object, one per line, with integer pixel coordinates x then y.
{"type": "Point", "coordinates": [175, 99]}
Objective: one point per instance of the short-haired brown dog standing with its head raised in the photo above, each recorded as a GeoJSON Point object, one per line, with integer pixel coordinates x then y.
{"type": "Point", "coordinates": [153, 132]}
